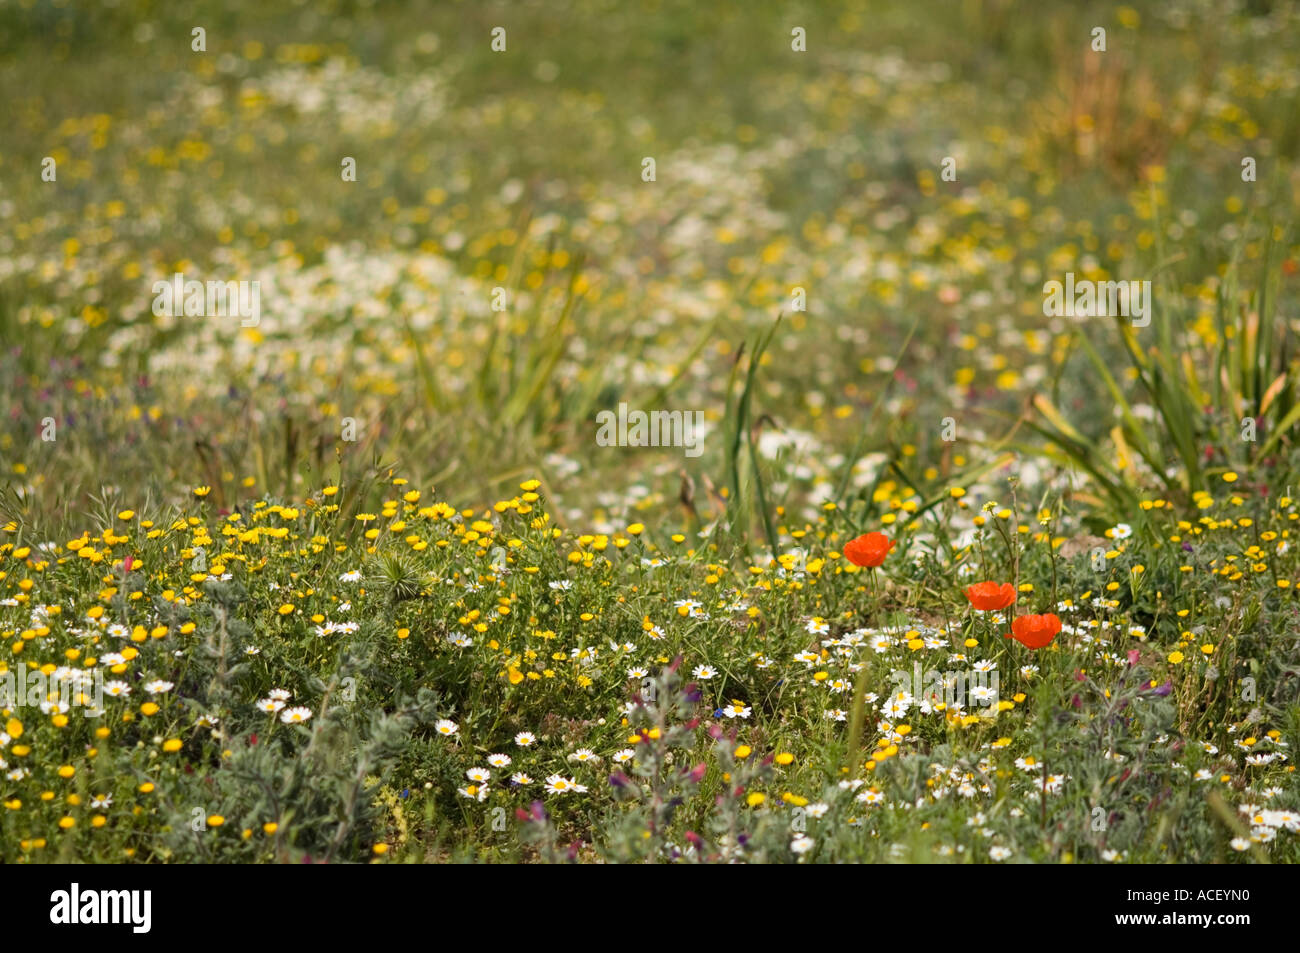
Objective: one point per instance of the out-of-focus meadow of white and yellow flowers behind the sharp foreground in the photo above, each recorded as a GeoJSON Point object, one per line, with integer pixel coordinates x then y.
{"type": "Point", "coordinates": [775, 171]}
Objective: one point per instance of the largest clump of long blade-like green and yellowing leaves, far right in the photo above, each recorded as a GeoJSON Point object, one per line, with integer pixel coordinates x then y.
{"type": "Point", "coordinates": [1230, 408]}
